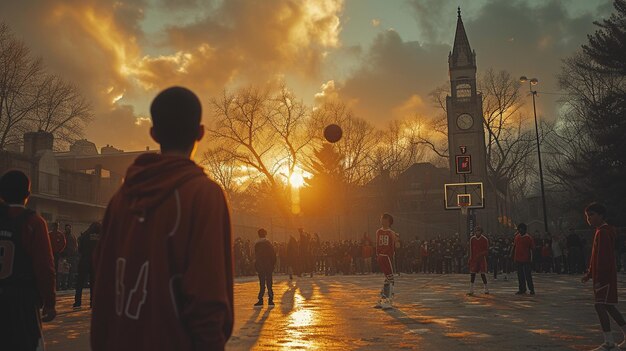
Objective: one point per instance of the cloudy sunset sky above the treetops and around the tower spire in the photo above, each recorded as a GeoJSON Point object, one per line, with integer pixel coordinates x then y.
{"type": "Point", "coordinates": [382, 56]}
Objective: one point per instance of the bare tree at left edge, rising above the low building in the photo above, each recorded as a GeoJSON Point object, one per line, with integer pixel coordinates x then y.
{"type": "Point", "coordinates": [31, 99]}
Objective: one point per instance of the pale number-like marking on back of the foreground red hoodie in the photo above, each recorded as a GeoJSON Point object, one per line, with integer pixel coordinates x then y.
{"type": "Point", "coordinates": [131, 306]}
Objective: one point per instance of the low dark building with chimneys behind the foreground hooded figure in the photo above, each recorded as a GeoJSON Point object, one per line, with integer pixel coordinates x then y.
{"type": "Point", "coordinates": [71, 187]}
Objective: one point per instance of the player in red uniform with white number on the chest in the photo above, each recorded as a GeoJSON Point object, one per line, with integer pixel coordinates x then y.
{"type": "Point", "coordinates": [385, 250]}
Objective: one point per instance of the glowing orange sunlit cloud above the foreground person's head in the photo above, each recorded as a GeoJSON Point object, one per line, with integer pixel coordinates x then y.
{"type": "Point", "coordinates": [101, 46]}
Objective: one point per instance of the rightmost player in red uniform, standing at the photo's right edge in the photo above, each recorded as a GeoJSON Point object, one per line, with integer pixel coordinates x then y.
{"type": "Point", "coordinates": [603, 272]}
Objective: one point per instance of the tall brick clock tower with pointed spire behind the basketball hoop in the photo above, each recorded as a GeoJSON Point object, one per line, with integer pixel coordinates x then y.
{"type": "Point", "coordinates": [466, 133]}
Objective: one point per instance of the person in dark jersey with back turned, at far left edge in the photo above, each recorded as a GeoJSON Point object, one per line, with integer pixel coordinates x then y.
{"type": "Point", "coordinates": [27, 275]}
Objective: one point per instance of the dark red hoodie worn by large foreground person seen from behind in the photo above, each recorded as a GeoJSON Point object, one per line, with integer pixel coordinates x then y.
{"type": "Point", "coordinates": [164, 273]}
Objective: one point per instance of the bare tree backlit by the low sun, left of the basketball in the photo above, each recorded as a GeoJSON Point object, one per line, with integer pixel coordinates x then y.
{"type": "Point", "coordinates": [263, 131]}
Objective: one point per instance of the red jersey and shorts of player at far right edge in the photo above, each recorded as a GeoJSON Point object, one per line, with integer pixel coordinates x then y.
{"type": "Point", "coordinates": [602, 263]}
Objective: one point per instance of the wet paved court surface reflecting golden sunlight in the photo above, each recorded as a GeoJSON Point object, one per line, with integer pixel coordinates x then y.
{"type": "Point", "coordinates": [432, 313]}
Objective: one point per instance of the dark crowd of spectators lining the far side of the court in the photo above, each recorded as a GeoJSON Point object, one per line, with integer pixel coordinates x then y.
{"type": "Point", "coordinates": [305, 254]}
